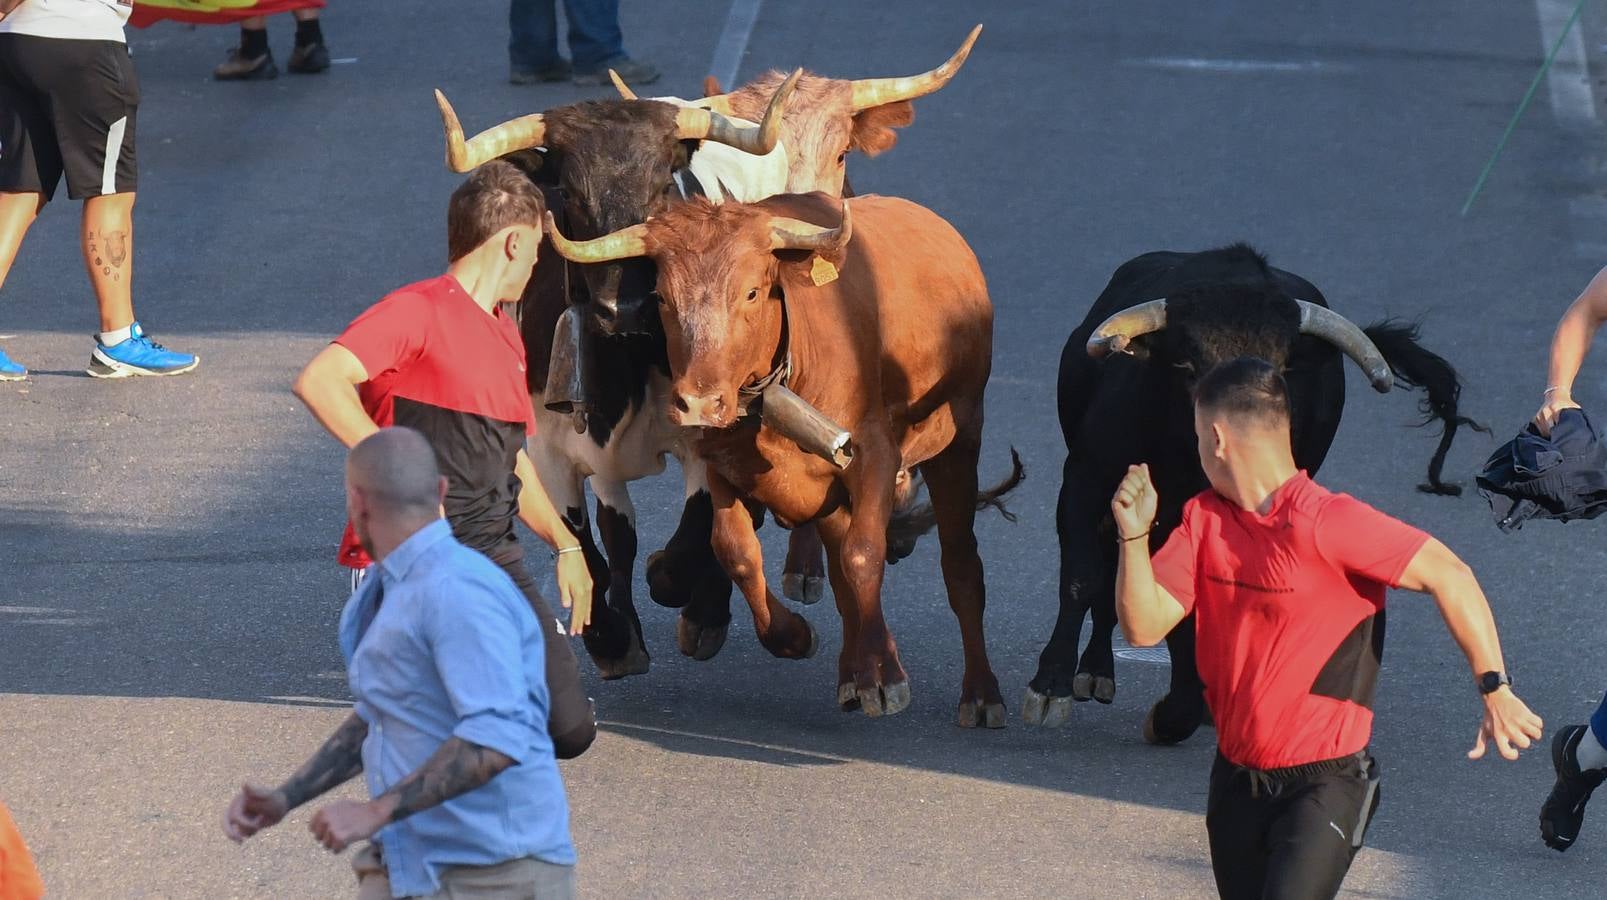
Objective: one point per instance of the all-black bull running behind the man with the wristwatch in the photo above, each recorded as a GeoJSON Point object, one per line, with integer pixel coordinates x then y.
{"type": "Point", "coordinates": [1221, 305]}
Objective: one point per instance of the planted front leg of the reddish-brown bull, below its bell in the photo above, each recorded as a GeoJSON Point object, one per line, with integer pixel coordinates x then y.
{"type": "Point", "coordinates": [870, 674]}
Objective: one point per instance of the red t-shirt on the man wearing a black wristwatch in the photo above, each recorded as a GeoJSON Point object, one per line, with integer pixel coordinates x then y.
{"type": "Point", "coordinates": [1290, 618]}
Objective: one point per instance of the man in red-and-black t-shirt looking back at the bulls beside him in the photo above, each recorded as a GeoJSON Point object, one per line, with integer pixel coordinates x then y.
{"type": "Point", "coordinates": [441, 358]}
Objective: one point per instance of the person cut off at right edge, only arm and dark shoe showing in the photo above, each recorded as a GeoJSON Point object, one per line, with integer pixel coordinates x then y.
{"type": "Point", "coordinates": [1579, 753]}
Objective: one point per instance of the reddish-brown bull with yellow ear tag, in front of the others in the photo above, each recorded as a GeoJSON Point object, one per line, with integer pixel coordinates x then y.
{"type": "Point", "coordinates": [886, 327]}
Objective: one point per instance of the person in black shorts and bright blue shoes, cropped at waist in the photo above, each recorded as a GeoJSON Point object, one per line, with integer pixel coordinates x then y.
{"type": "Point", "coordinates": [68, 102]}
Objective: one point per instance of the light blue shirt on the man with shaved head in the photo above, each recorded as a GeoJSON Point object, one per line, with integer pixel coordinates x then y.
{"type": "Point", "coordinates": [440, 644]}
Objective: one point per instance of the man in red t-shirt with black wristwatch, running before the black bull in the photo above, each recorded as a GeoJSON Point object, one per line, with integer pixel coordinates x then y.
{"type": "Point", "coordinates": [1288, 583]}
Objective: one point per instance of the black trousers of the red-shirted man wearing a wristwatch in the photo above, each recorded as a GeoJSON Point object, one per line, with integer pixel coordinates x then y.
{"type": "Point", "coordinates": [1288, 833]}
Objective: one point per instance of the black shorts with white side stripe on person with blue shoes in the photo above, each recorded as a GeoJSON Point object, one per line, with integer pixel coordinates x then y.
{"type": "Point", "coordinates": [67, 107]}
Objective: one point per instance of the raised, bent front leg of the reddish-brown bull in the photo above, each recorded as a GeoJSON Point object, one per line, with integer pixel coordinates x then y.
{"type": "Point", "coordinates": [737, 546]}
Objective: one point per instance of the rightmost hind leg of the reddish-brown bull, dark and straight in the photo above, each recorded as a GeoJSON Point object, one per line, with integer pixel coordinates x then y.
{"type": "Point", "coordinates": [952, 483]}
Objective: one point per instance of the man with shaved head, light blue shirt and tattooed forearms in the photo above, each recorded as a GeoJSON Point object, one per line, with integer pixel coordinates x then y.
{"type": "Point", "coordinates": [446, 661]}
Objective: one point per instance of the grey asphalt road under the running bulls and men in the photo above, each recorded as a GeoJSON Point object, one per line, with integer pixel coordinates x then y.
{"type": "Point", "coordinates": [168, 591]}
